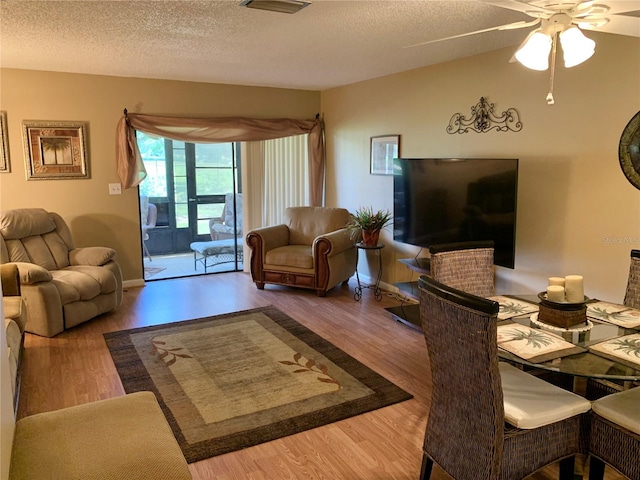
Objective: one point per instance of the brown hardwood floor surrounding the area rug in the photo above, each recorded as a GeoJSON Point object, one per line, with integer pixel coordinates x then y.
{"type": "Point", "coordinates": [75, 367]}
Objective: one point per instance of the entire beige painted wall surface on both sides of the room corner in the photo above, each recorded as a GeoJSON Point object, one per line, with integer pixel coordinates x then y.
{"type": "Point", "coordinates": [577, 213]}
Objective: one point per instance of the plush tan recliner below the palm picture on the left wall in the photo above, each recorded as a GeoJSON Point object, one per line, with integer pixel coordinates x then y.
{"type": "Point", "coordinates": [62, 286]}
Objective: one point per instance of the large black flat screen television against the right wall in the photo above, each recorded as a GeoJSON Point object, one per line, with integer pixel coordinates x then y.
{"type": "Point", "coordinates": [448, 200]}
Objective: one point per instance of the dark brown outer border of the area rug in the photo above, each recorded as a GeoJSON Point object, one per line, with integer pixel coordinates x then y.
{"type": "Point", "coordinates": [135, 377]}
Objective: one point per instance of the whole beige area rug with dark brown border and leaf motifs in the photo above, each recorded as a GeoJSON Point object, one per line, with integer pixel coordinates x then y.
{"type": "Point", "coordinates": [232, 381]}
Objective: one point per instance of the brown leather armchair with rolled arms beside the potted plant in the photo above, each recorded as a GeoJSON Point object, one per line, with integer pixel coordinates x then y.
{"type": "Point", "coordinates": [312, 249]}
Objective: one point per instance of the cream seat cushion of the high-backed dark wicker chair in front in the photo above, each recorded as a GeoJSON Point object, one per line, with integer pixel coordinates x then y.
{"type": "Point", "coordinates": [530, 402]}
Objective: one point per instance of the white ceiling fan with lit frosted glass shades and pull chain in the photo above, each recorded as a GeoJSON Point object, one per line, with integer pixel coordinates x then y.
{"type": "Point", "coordinates": [563, 21]}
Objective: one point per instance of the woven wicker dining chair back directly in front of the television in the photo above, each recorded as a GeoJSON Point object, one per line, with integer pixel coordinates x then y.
{"type": "Point", "coordinates": [466, 266]}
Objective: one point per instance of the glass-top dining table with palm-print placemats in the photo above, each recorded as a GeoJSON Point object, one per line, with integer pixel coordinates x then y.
{"type": "Point", "coordinates": [605, 346]}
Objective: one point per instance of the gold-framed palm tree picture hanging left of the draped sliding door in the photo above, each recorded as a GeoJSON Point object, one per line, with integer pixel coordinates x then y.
{"type": "Point", "coordinates": [55, 150]}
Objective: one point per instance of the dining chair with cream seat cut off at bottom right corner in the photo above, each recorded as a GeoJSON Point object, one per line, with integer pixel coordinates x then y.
{"type": "Point", "coordinates": [615, 434]}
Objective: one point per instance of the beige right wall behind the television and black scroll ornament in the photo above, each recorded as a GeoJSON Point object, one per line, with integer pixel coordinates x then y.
{"type": "Point", "coordinates": [577, 213]}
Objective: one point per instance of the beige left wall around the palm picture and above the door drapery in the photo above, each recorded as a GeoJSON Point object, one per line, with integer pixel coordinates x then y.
{"type": "Point", "coordinates": [95, 217]}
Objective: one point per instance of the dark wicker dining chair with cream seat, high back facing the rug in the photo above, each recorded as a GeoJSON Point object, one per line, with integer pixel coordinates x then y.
{"type": "Point", "coordinates": [474, 395]}
